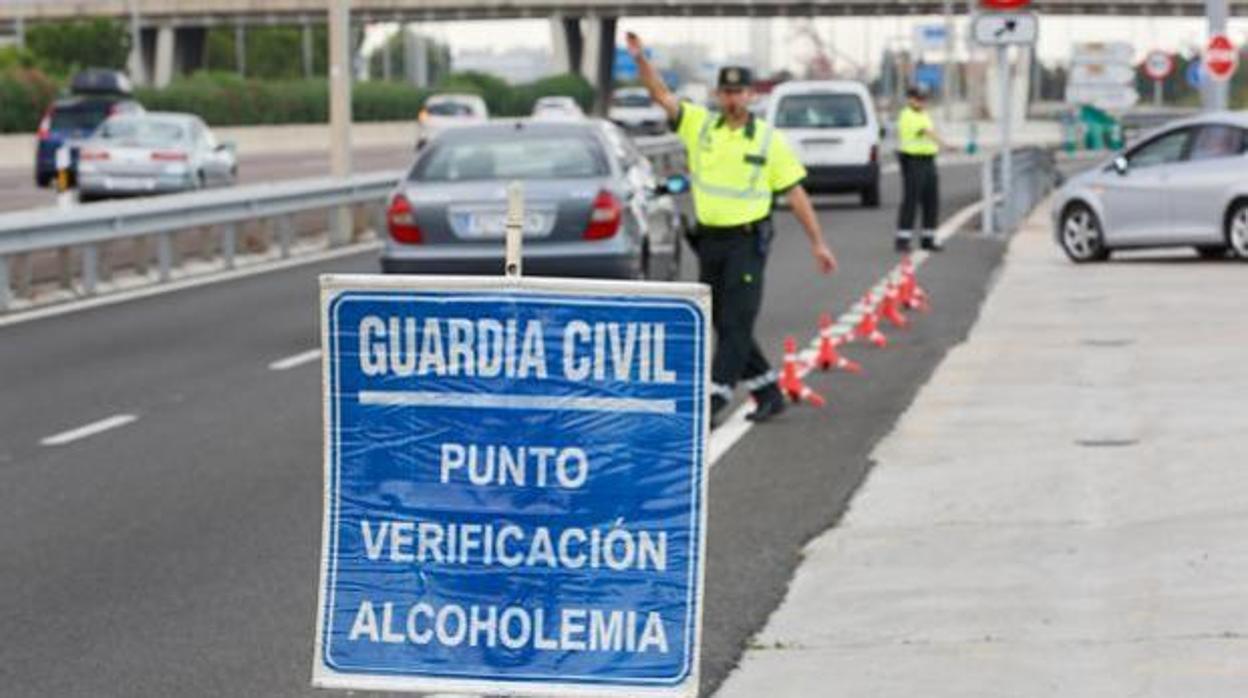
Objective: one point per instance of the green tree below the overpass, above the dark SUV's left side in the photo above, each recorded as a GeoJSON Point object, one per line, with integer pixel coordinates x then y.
{"type": "Point", "coordinates": [67, 47]}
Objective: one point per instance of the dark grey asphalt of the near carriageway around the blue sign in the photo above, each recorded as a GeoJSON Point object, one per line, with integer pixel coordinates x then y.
{"type": "Point", "coordinates": [178, 555]}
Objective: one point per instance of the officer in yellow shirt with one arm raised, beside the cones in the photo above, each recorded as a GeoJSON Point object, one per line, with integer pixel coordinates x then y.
{"type": "Point", "coordinates": [738, 165]}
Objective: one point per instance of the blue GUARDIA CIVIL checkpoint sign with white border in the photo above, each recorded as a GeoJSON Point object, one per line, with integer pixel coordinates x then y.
{"type": "Point", "coordinates": [515, 496]}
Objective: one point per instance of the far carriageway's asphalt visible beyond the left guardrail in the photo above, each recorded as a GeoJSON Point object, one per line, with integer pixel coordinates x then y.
{"type": "Point", "coordinates": [18, 188]}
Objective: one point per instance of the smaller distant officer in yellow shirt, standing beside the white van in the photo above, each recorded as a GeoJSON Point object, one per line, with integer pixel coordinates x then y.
{"type": "Point", "coordinates": [918, 147]}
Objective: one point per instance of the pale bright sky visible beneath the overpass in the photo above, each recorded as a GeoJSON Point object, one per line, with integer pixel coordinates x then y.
{"type": "Point", "coordinates": [852, 38]}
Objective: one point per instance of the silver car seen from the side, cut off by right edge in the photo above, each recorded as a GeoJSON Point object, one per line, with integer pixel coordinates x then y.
{"type": "Point", "coordinates": [1184, 185]}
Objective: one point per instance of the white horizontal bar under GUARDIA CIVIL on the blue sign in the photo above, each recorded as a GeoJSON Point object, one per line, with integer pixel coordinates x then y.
{"type": "Point", "coordinates": [472, 400]}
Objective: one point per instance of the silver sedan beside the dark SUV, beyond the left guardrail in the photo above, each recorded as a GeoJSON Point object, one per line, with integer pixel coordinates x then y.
{"type": "Point", "coordinates": [154, 153]}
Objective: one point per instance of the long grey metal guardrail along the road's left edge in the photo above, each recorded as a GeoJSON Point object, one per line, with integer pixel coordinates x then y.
{"type": "Point", "coordinates": [82, 233]}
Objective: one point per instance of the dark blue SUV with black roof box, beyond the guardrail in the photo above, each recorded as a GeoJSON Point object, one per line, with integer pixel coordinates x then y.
{"type": "Point", "coordinates": [99, 94]}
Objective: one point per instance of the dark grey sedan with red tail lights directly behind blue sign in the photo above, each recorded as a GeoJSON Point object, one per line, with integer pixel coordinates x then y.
{"type": "Point", "coordinates": [593, 205]}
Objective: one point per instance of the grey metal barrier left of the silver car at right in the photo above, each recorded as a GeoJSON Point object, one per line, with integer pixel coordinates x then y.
{"type": "Point", "coordinates": [1033, 175]}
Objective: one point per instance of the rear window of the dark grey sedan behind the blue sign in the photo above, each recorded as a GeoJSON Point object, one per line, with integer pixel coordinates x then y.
{"type": "Point", "coordinates": [512, 157]}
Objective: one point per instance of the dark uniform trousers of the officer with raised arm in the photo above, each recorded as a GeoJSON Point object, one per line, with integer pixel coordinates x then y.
{"type": "Point", "coordinates": [733, 264]}
